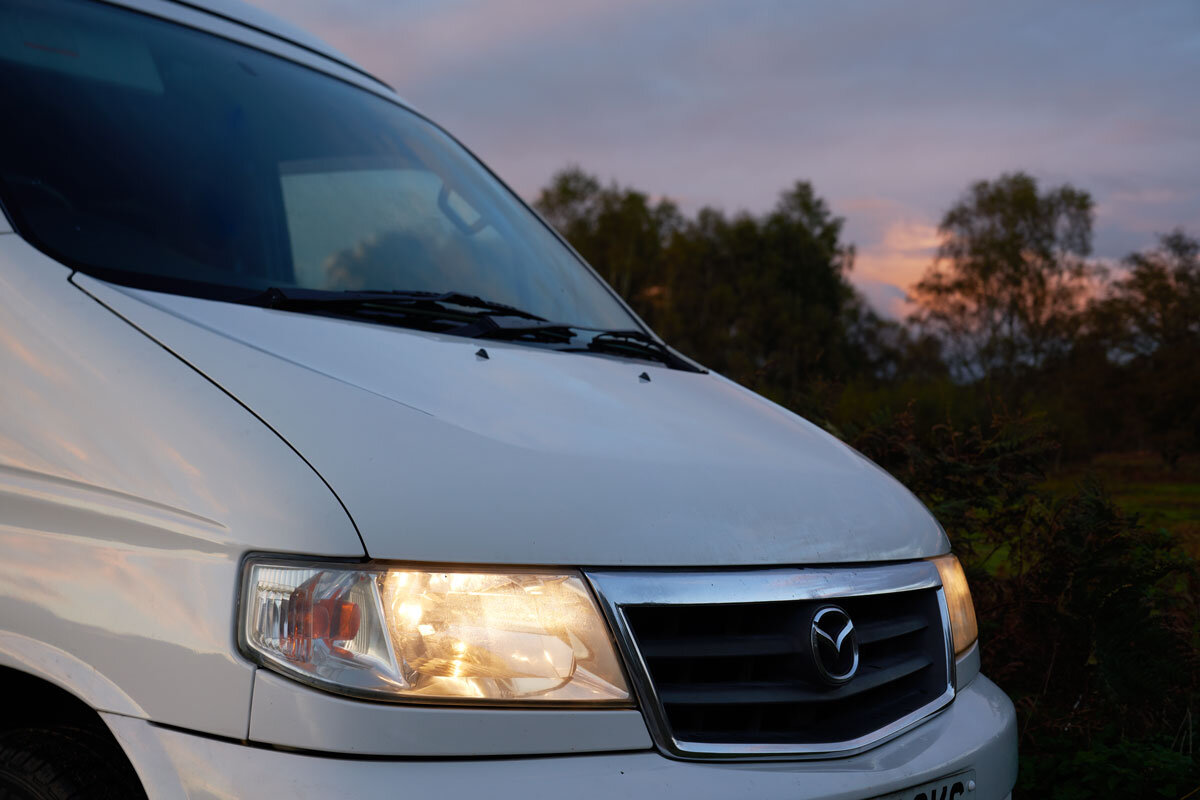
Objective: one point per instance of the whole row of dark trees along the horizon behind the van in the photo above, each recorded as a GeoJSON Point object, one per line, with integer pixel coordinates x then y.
{"type": "Point", "coordinates": [1013, 310]}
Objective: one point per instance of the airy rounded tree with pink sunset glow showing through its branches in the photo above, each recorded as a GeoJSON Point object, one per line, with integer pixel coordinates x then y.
{"type": "Point", "coordinates": [1011, 276]}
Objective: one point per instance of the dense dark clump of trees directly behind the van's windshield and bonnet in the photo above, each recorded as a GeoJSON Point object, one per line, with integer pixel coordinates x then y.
{"type": "Point", "coordinates": [765, 300]}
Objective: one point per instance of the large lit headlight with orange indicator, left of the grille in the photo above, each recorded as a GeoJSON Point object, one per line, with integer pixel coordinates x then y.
{"type": "Point", "coordinates": [433, 635]}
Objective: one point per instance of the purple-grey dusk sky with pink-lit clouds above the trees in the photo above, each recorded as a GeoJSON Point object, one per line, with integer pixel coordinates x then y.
{"type": "Point", "coordinates": [891, 110]}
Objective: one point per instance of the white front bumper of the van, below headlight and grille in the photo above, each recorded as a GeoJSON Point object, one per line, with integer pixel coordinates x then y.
{"type": "Point", "coordinates": [979, 731]}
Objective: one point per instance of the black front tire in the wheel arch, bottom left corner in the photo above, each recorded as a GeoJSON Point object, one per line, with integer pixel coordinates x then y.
{"type": "Point", "coordinates": [64, 765]}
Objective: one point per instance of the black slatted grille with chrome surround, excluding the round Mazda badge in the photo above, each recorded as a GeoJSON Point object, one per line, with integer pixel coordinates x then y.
{"type": "Point", "coordinates": [723, 671]}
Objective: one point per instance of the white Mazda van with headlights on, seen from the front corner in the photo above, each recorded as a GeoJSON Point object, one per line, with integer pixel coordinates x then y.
{"type": "Point", "coordinates": [329, 471]}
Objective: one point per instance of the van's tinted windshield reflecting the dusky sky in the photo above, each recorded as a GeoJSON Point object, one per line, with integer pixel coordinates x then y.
{"type": "Point", "coordinates": [159, 157]}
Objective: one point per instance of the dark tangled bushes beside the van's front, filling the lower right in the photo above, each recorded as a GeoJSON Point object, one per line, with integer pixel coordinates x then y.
{"type": "Point", "coordinates": [1088, 618]}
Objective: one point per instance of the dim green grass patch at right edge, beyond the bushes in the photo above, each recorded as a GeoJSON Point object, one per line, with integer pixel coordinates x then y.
{"type": "Point", "coordinates": [1142, 484]}
